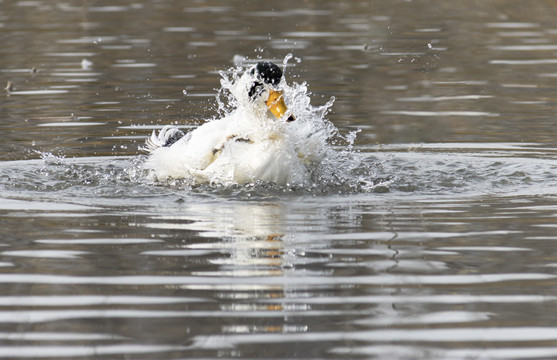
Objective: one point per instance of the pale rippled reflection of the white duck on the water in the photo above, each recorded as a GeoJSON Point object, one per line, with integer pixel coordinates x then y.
{"type": "Point", "coordinates": [252, 235]}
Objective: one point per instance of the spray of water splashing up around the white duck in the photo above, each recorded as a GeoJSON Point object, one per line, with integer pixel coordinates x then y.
{"type": "Point", "coordinates": [318, 157]}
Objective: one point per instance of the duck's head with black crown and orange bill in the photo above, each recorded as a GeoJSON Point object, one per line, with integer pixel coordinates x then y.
{"type": "Point", "coordinates": [263, 87]}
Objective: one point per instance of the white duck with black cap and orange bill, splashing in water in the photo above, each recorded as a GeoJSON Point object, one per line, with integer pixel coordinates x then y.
{"type": "Point", "coordinates": [252, 143]}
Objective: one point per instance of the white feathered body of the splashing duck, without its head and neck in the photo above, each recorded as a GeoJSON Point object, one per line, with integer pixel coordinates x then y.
{"type": "Point", "coordinates": [227, 151]}
